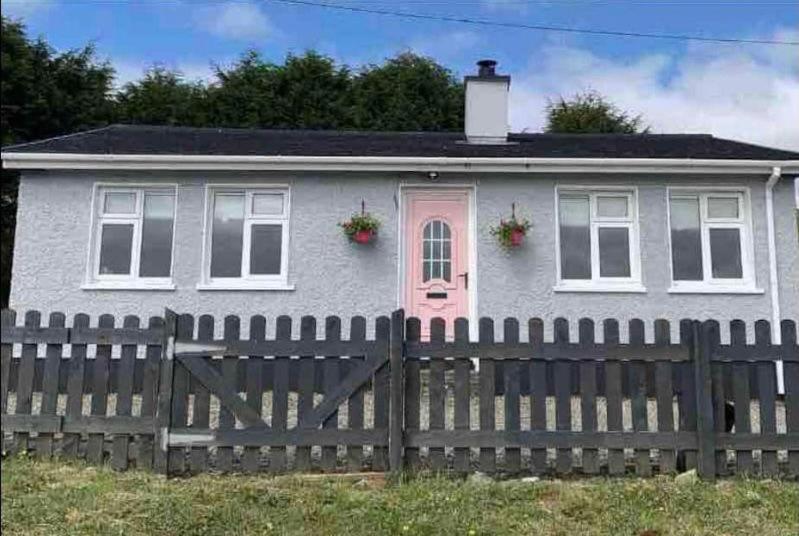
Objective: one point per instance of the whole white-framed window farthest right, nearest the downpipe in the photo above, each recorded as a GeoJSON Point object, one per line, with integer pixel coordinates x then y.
{"type": "Point", "coordinates": [709, 240]}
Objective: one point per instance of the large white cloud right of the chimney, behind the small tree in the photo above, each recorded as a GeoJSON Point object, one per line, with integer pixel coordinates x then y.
{"type": "Point", "coordinates": [750, 94]}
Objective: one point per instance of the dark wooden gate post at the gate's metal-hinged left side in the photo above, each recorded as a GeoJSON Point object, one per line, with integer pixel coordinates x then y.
{"type": "Point", "coordinates": [163, 414]}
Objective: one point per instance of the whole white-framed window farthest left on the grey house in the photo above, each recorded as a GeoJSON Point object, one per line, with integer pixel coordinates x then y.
{"type": "Point", "coordinates": [132, 239]}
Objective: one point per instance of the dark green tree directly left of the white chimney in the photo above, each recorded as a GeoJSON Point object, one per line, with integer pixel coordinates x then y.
{"type": "Point", "coordinates": [408, 92]}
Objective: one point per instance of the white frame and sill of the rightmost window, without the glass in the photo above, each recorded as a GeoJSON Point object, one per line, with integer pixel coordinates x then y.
{"type": "Point", "coordinates": [709, 284]}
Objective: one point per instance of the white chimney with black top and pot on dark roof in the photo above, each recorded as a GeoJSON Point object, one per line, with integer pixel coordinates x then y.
{"type": "Point", "coordinates": [486, 112]}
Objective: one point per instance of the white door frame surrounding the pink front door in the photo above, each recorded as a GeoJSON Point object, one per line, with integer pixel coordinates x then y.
{"type": "Point", "coordinates": [470, 188]}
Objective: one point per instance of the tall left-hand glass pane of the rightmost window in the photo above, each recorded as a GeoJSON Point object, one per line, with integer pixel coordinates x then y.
{"type": "Point", "coordinates": [686, 240]}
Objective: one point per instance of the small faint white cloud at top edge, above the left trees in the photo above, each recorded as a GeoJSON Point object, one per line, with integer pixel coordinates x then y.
{"type": "Point", "coordinates": [241, 21]}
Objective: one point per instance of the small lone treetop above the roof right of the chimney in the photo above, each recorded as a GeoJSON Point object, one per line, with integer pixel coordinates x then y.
{"type": "Point", "coordinates": [590, 113]}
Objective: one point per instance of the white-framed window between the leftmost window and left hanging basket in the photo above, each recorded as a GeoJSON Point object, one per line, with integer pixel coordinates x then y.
{"type": "Point", "coordinates": [248, 238]}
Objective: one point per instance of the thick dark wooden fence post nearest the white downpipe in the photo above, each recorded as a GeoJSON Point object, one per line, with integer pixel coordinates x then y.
{"type": "Point", "coordinates": [701, 352]}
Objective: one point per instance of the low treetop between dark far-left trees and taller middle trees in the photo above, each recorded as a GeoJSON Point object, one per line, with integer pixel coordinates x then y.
{"type": "Point", "coordinates": [163, 97]}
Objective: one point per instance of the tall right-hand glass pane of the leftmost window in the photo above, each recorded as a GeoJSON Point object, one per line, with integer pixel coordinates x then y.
{"type": "Point", "coordinates": [156, 240]}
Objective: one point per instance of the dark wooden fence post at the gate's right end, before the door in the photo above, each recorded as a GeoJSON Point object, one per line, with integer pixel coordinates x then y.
{"type": "Point", "coordinates": [396, 390]}
